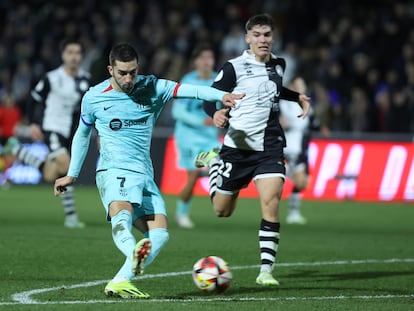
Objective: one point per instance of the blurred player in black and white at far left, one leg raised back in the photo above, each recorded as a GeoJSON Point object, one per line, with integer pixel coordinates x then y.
{"type": "Point", "coordinates": [54, 117]}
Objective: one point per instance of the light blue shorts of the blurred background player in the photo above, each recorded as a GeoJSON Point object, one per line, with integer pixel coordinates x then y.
{"type": "Point", "coordinates": [187, 152]}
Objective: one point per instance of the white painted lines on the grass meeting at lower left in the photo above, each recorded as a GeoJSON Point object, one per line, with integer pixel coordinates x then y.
{"type": "Point", "coordinates": [25, 297]}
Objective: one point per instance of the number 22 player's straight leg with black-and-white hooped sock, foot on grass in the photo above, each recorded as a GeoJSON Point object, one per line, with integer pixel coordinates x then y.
{"type": "Point", "coordinates": [270, 192]}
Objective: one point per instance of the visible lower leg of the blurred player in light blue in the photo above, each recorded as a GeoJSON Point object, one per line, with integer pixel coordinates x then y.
{"type": "Point", "coordinates": [182, 215]}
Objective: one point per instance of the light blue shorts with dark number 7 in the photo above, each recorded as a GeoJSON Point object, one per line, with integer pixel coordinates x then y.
{"type": "Point", "coordinates": [138, 189]}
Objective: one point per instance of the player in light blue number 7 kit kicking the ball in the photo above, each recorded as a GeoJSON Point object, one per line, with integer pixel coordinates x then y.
{"type": "Point", "coordinates": [124, 110]}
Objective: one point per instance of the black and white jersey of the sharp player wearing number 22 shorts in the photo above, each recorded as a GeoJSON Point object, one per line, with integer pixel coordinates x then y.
{"type": "Point", "coordinates": [254, 122]}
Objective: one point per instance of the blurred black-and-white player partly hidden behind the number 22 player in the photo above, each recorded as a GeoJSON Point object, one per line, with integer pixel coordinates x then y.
{"type": "Point", "coordinates": [298, 134]}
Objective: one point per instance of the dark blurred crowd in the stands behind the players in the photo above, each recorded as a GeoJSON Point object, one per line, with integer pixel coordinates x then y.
{"type": "Point", "coordinates": [356, 56]}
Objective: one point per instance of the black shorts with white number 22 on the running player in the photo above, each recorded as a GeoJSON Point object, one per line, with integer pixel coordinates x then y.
{"type": "Point", "coordinates": [239, 167]}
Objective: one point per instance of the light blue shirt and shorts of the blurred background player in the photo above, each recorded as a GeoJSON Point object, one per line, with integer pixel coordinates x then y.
{"type": "Point", "coordinates": [191, 134]}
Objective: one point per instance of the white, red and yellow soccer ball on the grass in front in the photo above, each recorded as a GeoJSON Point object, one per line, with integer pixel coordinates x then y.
{"type": "Point", "coordinates": [211, 274]}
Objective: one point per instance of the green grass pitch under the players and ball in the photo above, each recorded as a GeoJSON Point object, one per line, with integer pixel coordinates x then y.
{"type": "Point", "coordinates": [335, 247]}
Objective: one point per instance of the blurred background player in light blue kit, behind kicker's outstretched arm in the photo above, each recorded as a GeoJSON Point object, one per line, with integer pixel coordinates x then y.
{"type": "Point", "coordinates": [194, 130]}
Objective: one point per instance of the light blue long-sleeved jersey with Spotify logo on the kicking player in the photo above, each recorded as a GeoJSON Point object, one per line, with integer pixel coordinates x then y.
{"type": "Point", "coordinates": [125, 122]}
